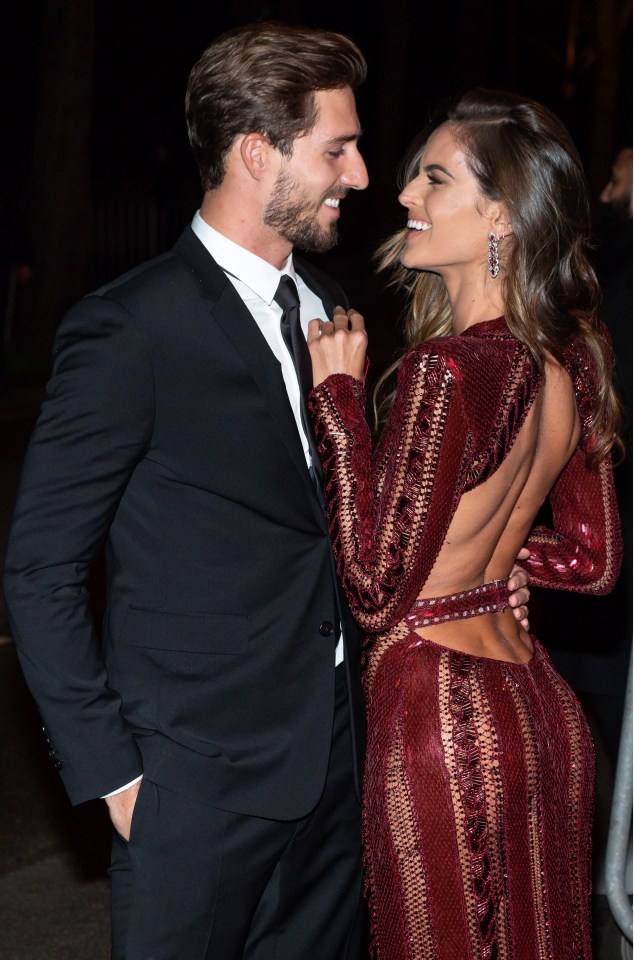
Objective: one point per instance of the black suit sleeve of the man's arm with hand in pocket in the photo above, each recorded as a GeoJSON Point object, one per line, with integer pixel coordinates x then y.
{"type": "Point", "coordinates": [94, 427]}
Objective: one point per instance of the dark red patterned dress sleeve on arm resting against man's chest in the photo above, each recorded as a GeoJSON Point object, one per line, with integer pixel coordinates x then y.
{"type": "Point", "coordinates": [389, 511]}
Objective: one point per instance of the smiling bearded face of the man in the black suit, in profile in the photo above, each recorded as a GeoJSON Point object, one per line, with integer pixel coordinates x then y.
{"type": "Point", "coordinates": [324, 166]}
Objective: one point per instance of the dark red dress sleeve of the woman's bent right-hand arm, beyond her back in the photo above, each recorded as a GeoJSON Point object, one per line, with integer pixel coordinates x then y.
{"type": "Point", "coordinates": [584, 550]}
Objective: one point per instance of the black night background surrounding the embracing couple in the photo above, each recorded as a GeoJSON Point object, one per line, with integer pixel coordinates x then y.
{"type": "Point", "coordinates": [97, 176]}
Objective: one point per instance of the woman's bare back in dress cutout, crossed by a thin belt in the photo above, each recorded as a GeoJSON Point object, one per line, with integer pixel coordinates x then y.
{"type": "Point", "coordinates": [493, 521]}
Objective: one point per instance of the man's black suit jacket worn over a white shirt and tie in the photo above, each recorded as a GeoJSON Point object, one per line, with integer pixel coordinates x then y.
{"type": "Point", "coordinates": [168, 435]}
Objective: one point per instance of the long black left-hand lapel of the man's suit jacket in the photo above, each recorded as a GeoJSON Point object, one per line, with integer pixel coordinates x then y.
{"type": "Point", "coordinates": [230, 314]}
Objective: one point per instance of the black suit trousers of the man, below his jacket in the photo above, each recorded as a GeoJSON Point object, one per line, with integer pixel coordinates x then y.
{"type": "Point", "coordinates": [198, 883]}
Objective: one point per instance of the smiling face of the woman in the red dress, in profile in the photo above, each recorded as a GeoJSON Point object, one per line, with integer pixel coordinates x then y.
{"type": "Point", "coordinates": [447, 227]}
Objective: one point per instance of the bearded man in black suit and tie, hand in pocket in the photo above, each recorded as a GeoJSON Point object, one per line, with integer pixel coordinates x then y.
{"type": "Point", "coordinates": [174, 432]}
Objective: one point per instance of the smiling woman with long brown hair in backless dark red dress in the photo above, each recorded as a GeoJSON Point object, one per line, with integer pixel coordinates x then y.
{"type": "Point", "coordinates": [479, 776]}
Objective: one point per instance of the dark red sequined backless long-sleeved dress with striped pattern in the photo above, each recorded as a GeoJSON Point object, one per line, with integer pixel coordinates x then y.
{"type": "Point", "coordinates": [479, 774]}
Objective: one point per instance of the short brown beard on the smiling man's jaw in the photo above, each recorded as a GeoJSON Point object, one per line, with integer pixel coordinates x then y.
{"type": "Point", "coordinates": [294, 216]}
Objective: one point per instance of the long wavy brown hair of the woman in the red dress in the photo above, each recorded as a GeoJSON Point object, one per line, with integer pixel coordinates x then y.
{"type": "Point", "coordinates": [522, 155]}
